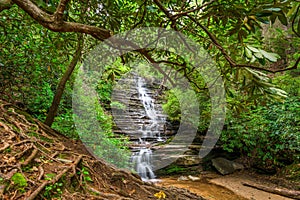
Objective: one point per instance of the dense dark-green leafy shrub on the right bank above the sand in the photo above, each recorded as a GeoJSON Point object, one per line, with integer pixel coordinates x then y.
{"type": "Point", "coordinates": [269, 135]}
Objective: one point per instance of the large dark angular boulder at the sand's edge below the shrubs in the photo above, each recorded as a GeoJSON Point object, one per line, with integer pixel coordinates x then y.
{"type": "Point", "coordinates": [225, 166]}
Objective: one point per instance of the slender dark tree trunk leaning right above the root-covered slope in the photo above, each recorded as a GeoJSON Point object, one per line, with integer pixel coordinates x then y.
{"type": "Point", "coordinates": [62, 84]}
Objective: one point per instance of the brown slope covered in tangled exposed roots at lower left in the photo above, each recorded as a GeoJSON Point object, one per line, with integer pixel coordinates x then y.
{"type": "Point", "coordinates": [37, 162]}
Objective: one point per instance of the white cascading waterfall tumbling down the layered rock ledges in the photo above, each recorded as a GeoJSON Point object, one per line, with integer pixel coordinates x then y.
{"type": "Point", "coordinates": [150, 130]}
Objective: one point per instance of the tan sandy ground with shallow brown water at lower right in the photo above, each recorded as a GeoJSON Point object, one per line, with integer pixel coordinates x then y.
{"type": "Point", "coordinates": [217, 187]}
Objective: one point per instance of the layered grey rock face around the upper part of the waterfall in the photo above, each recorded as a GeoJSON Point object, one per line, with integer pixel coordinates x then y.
{"type": "Point", "coordinates": [134, 120]}
